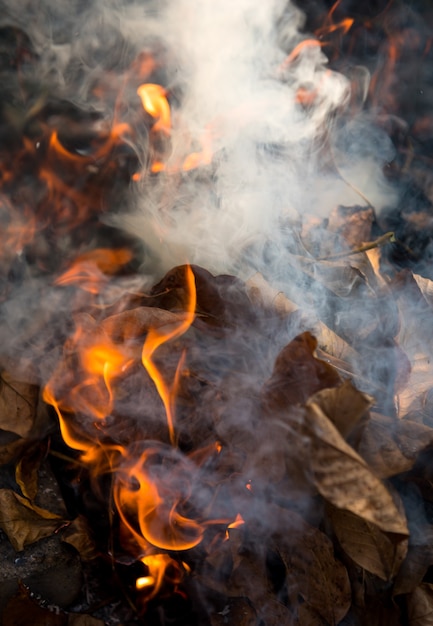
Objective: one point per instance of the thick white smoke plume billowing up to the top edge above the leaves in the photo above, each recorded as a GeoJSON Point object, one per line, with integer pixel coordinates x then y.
{"type": "Point", "coordinates": [270, 152]}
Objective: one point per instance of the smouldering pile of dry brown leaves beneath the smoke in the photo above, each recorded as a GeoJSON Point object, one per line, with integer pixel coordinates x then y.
{"type": "Point", "coordinates": [317, 433]}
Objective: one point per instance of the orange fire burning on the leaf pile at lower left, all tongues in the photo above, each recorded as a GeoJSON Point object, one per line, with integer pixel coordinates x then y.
{"type": "Point", "coordinates": [152, 486]}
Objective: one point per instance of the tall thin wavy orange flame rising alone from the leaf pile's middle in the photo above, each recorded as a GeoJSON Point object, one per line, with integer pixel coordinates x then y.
{"type": "Point", "coordinates": [156, 338]}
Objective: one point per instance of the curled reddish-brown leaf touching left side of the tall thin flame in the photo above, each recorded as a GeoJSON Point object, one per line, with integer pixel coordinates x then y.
{"type": "Point", "coordinates": [134, 323]}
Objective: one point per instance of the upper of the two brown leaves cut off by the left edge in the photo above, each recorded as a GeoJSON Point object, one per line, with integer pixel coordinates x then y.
{"type": "Point", "coordinates": [18, 403]}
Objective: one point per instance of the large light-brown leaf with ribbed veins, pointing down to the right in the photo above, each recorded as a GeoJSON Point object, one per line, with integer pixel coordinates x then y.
{"type": "Point", "coordinates": [344, 479]}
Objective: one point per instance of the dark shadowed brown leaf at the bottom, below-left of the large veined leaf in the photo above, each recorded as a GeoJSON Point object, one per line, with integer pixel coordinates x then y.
{"type": "Point", "coordinates": [313, 572]}
